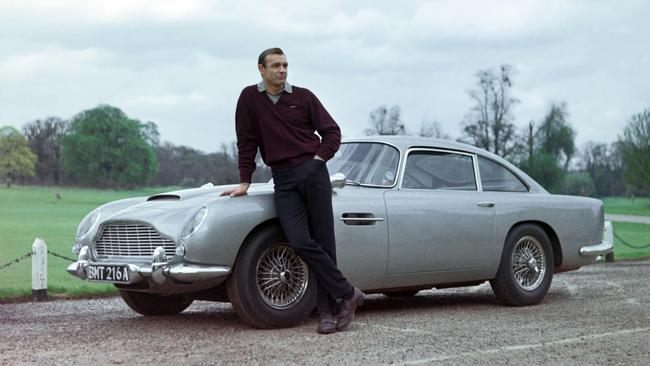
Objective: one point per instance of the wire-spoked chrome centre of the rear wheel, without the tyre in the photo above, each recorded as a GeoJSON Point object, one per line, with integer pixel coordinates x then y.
{"type": "Point", "coordinates": [528, 263]}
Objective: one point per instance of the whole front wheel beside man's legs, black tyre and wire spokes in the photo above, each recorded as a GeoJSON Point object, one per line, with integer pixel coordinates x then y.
{"type": "Point", "coordinates": [270, 286]}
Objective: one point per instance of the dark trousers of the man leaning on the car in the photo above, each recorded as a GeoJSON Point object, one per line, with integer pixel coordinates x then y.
{"type": "Point", "coordinates": [303, 202]}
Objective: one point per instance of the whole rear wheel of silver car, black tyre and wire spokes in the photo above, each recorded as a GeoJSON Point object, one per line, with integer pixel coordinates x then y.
{"type": "Point", "coordinates": [526, 269]}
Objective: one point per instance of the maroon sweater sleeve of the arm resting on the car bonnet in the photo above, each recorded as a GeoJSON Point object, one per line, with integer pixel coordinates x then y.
{"type": "Point", "coordinates": [246, 141]}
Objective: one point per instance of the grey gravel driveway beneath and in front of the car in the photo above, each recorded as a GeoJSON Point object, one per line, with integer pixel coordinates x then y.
{"type": "Point", "coordinates": [597, 315]}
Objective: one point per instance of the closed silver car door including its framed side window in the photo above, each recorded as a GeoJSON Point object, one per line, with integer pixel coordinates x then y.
{"type": "Point", "coordinates": [438, 219]}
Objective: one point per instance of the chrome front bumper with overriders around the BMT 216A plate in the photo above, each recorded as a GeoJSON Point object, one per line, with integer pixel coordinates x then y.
{"type": "Point", "coordinates": [159, 271]}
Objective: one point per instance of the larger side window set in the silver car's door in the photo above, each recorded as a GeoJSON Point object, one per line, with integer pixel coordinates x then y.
{"type": "Point", "coordinates": [439, 170]}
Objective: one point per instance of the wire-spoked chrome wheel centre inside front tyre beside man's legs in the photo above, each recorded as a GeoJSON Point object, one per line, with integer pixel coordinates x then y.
{"type": "Point", "coordinates": [282, 277]}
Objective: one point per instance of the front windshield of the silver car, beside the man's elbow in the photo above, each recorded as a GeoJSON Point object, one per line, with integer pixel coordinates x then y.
{"type": "Point", "coordinates": [366, 163]}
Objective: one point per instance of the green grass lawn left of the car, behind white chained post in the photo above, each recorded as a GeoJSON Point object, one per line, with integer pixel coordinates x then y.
{"type": "Point", "coordinates": [30, 212]}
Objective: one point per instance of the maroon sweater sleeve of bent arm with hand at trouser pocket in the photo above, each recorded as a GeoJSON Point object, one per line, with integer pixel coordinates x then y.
{"type": "Point", "coordinates": [326, 127]}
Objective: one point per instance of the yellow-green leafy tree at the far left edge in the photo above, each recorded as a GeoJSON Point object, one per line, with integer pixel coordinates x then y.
{"type": "Point", "coordinates": [16, 160]}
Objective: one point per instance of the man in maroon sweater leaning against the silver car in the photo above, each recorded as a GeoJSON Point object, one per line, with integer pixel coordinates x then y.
{"type": "Point", "coordinates": [280, 120]}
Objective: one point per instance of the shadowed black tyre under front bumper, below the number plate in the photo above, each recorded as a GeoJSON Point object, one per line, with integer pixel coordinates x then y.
{"type": "Point", "coordinates": [153, 304]}
